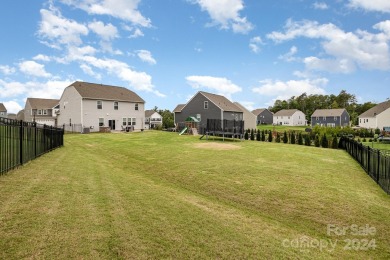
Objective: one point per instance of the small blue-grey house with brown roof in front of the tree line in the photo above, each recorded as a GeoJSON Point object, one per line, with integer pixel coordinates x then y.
{"type": "Point", "coordinates": [330, 117]}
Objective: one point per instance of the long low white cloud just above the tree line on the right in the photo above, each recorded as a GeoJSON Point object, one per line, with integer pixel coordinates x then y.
{"type": "Point", "coordinates": [285, 89]}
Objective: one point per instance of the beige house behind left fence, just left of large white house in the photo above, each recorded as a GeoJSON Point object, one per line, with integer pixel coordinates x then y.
{"type": "Point", "coordinates": [41, 111]}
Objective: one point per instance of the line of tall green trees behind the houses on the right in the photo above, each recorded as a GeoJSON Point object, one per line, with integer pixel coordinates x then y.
{"type": "Point", "coordinates": [309, 103]}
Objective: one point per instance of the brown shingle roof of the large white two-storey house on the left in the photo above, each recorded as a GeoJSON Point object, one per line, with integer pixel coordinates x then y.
{"type": "Point", "coordinates": [105, 92]}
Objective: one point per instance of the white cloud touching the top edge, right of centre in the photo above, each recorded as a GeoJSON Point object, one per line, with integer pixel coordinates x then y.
{"type": "Point", "coordinates": [226, 14]}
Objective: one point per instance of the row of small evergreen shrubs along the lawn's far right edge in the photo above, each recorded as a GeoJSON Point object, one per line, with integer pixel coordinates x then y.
{"type": "Point", "coordinates": [292, 137]}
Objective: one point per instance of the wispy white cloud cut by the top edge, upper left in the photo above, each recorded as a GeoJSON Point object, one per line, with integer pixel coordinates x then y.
{"type": "Point", "coordinates": [126, 10]}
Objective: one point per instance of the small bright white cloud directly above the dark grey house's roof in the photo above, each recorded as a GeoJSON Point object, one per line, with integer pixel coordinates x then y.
{"type": "Point", "coordinates": [222, 86]}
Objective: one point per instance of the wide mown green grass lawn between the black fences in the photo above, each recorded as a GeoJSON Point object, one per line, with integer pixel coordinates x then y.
{"type": "Point", "coordinates": [155, 195]}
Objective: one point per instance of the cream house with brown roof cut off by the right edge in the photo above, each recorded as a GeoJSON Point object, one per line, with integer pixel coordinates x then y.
{"type": "Point", "coordinates": [376, 117]}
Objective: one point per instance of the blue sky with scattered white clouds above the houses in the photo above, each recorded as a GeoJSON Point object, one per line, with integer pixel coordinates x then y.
{"type": "Point", "coordinates": [251, 51]}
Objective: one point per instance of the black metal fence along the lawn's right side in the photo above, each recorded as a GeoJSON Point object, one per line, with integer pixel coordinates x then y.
{"type": "Point", "coordinates": [375, 162]}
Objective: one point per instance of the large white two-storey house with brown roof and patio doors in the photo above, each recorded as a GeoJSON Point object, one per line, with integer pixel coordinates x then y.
{"type": "Point", "coordinates": [98, 106]}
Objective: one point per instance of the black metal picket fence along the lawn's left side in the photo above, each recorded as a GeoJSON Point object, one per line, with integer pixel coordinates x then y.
{"type": "Point", "coordinates": [22, 141]}
